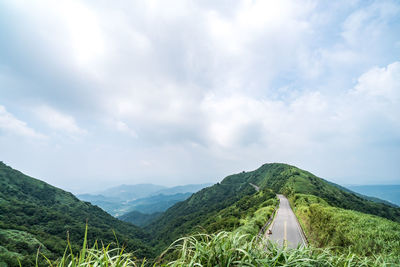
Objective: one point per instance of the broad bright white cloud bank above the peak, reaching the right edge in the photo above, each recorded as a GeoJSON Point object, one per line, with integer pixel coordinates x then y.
{"type": "Point", "coordinates": [311, 120]}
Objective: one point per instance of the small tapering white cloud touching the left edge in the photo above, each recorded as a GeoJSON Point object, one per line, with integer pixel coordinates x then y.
{"type": "Point", "coordinates": [11, 124]}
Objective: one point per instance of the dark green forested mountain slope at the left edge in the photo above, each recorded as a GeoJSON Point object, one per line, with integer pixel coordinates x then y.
{"type": "Point", "coordinates": [34, 213]}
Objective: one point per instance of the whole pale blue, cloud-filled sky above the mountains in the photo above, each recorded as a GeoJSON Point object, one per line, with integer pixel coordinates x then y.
{"type": "Point", "coordinates": [95, 94]}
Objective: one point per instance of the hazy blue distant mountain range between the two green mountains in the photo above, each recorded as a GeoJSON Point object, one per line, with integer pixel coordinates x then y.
{"type": "Point", "coordinates": [145, 198]}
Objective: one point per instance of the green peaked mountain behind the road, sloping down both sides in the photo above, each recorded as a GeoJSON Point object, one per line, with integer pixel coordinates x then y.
{"type": "Point", "coordinates": [227, 204]}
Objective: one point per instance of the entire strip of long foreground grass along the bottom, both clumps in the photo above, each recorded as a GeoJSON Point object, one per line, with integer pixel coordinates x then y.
{"type": "Point", "coordinates": [221, 249]}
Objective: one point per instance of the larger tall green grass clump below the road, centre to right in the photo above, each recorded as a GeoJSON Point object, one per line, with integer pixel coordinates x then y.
{"type": "Point", "coordinates": [234, 249]}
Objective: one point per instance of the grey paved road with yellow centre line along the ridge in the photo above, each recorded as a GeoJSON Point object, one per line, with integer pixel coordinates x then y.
{"type": "Point", "coordinates": [285, 228]}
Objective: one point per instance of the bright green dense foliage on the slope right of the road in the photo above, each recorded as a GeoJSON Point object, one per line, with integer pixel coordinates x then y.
{"type": "Point", "coordinates": [361, 233]}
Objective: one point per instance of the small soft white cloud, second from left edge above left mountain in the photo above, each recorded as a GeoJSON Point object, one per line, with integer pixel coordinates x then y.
{"type": "Point", "coordinates": [58, 121]}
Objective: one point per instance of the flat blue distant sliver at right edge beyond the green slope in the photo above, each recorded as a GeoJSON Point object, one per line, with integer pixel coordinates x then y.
{"type": "Point", "coordinates": [389, 193]}
